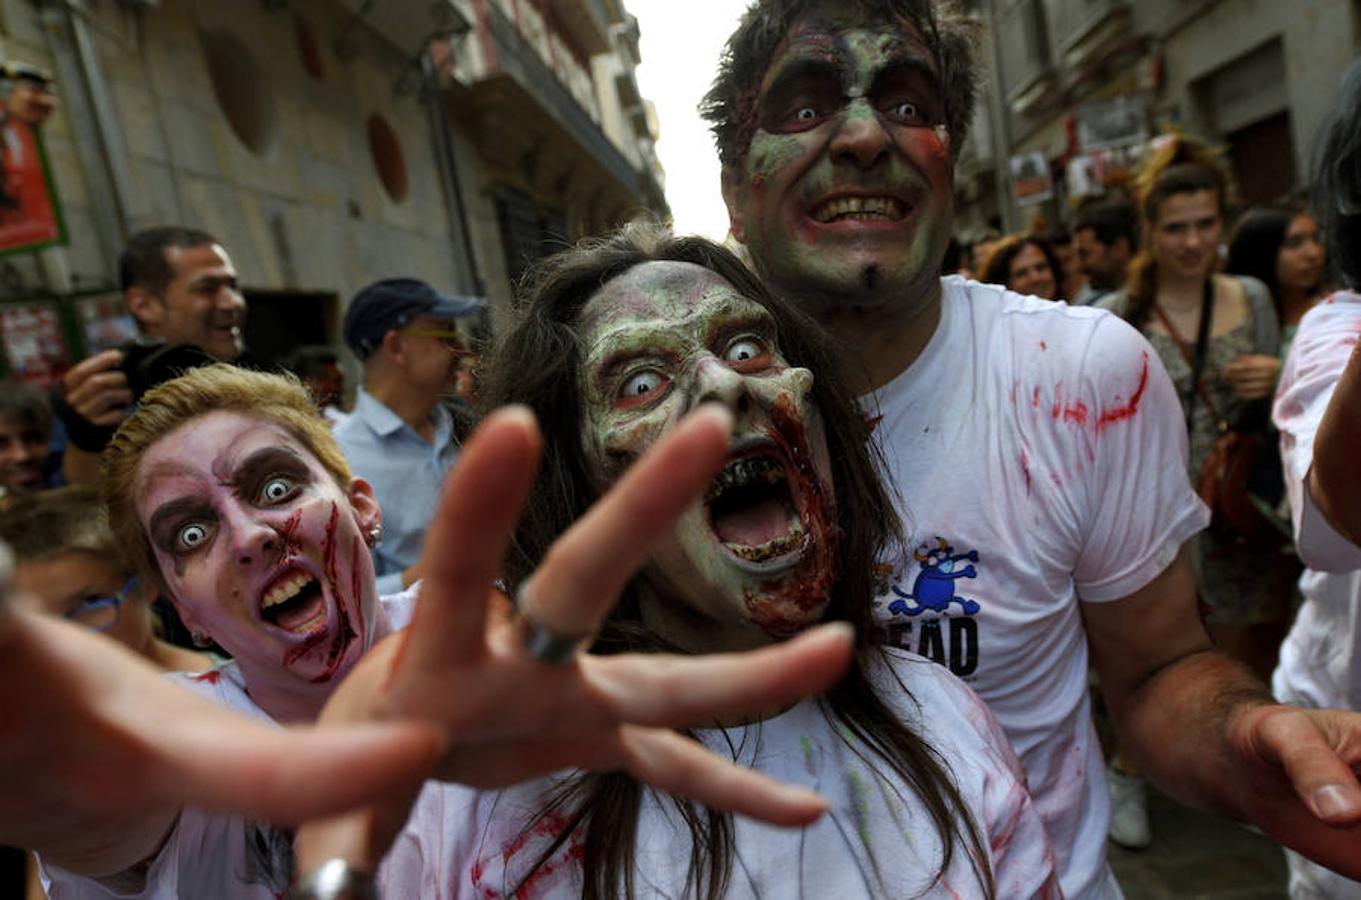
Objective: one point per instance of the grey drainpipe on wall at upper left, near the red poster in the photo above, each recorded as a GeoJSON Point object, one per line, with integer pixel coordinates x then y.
{"type": "Point", "coordinates": [80, 65]}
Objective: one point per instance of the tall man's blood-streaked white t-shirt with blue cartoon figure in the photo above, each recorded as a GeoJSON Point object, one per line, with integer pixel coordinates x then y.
{"type": "Point", "coordinates": [1040, 455]}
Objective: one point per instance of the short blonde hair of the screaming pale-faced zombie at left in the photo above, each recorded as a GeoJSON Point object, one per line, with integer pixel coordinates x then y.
{"type": "Point", "coordinates": [221, 387]}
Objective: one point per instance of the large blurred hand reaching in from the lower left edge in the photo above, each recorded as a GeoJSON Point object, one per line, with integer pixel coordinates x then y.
{"type": "Point", "coordinates": [97, 745]}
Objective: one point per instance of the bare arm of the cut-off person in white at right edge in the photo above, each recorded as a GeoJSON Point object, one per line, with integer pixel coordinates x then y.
{"type": "Point", "coordinates": [1336, 480]}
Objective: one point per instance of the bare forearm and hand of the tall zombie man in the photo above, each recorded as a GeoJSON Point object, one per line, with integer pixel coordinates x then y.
{"type": "Point", "coordinates": [1209, 735]}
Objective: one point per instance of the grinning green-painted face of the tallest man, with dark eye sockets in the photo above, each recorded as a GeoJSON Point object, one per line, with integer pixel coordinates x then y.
{"type": "Point", "coordinates": [845, 197]}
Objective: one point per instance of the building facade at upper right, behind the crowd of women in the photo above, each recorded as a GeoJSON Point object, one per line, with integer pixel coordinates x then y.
{"type": "Point", "coordinates": [1085, 84]}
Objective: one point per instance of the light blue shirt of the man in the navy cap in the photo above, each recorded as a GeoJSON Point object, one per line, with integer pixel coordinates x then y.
{"type": "Point", "coordinates": [406, 473]}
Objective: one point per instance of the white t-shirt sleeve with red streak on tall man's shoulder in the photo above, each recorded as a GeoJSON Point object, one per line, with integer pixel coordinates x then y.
{"type": "Point", "coordinates": [1140, 506]}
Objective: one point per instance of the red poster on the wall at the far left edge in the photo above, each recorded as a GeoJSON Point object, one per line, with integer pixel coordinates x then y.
{"type": "Point", "coordinates": [29, 212]}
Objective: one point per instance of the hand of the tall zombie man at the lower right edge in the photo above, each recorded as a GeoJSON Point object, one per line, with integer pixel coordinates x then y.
{"type": "Point", "coordinates": [1314, 755]}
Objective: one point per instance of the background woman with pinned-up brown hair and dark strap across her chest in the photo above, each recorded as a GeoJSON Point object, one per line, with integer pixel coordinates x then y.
{"type": "Point", "coordinates": [1226, 327]}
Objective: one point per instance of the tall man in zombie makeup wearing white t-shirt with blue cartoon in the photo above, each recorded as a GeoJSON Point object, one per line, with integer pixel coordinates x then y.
{"type": "Point", "coordinates": [1040, 450]}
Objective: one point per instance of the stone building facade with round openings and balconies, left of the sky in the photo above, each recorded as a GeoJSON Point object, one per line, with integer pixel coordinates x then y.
{"type": "Point", "coordinates": [330, 144]}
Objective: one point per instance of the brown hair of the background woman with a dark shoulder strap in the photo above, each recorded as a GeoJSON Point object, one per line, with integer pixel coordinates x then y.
{"type": "Point", "coordinates": [1179, 167]}
